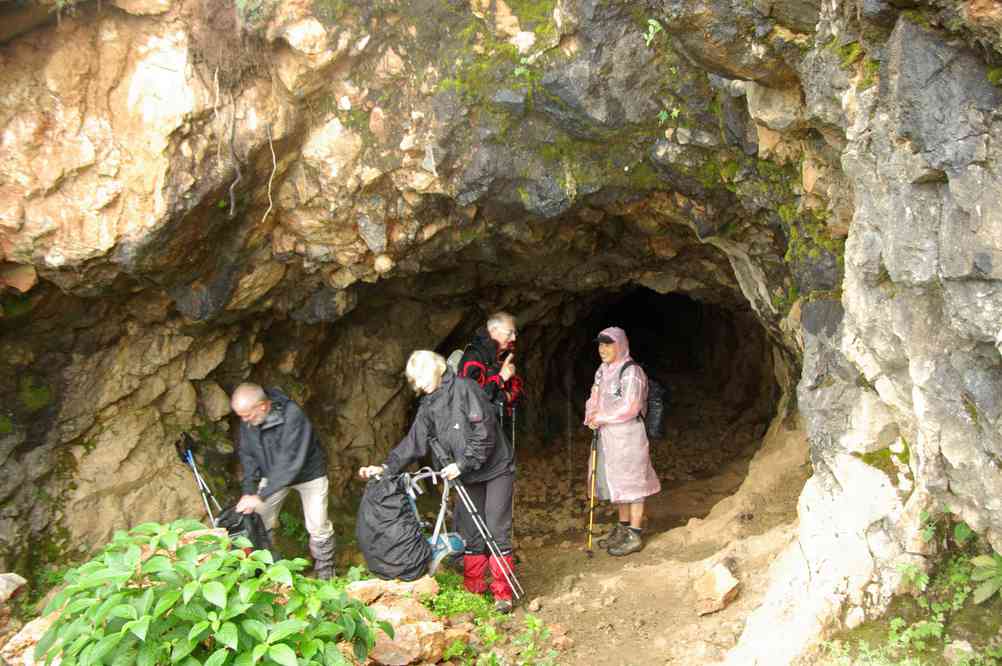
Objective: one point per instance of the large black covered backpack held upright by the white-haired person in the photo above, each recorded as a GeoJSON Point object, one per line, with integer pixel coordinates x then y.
{"type": "Point", "coordinates": [388, 532]}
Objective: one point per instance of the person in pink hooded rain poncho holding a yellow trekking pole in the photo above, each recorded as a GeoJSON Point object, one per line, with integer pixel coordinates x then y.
{"type": "Point", "coordinates": [625, 475]}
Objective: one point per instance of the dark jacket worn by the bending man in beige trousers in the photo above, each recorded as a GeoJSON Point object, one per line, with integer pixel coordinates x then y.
{"type": "Point", "coordinates": [285, 450]}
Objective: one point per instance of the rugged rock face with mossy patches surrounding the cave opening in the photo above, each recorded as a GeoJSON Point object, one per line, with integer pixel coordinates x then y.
{"type": "Point", "coordinates": [303, 193]}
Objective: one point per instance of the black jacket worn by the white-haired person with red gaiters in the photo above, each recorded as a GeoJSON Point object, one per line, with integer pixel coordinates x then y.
{"type": "Point", "coordinates": [465, 425]}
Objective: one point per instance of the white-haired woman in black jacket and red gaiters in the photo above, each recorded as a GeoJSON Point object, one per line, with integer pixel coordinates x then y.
{"type": "Point", "coordinates": [455, 412]}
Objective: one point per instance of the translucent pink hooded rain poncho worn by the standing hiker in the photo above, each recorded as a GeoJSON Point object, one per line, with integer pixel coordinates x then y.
{"type": "Point", "coordinates": [625, 473]}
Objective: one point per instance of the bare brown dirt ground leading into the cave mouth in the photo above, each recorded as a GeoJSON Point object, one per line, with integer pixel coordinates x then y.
{"type": "Point", "coordinates": [641, 609]}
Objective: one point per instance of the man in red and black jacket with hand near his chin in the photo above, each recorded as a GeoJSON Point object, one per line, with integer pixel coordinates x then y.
{"type": "Point", "coordinates": [490, 361]}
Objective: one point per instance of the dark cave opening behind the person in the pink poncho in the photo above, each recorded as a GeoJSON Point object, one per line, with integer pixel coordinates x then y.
{"type": "Point", "coordinates": [716, 362]}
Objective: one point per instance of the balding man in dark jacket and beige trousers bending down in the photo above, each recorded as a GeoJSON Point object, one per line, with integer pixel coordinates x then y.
{"type": "Point", "coordinates": [280, 452]}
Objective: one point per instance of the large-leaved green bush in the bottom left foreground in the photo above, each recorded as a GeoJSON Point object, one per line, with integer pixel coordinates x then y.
{"type": "Point", "coordinates": [180, 594]}
